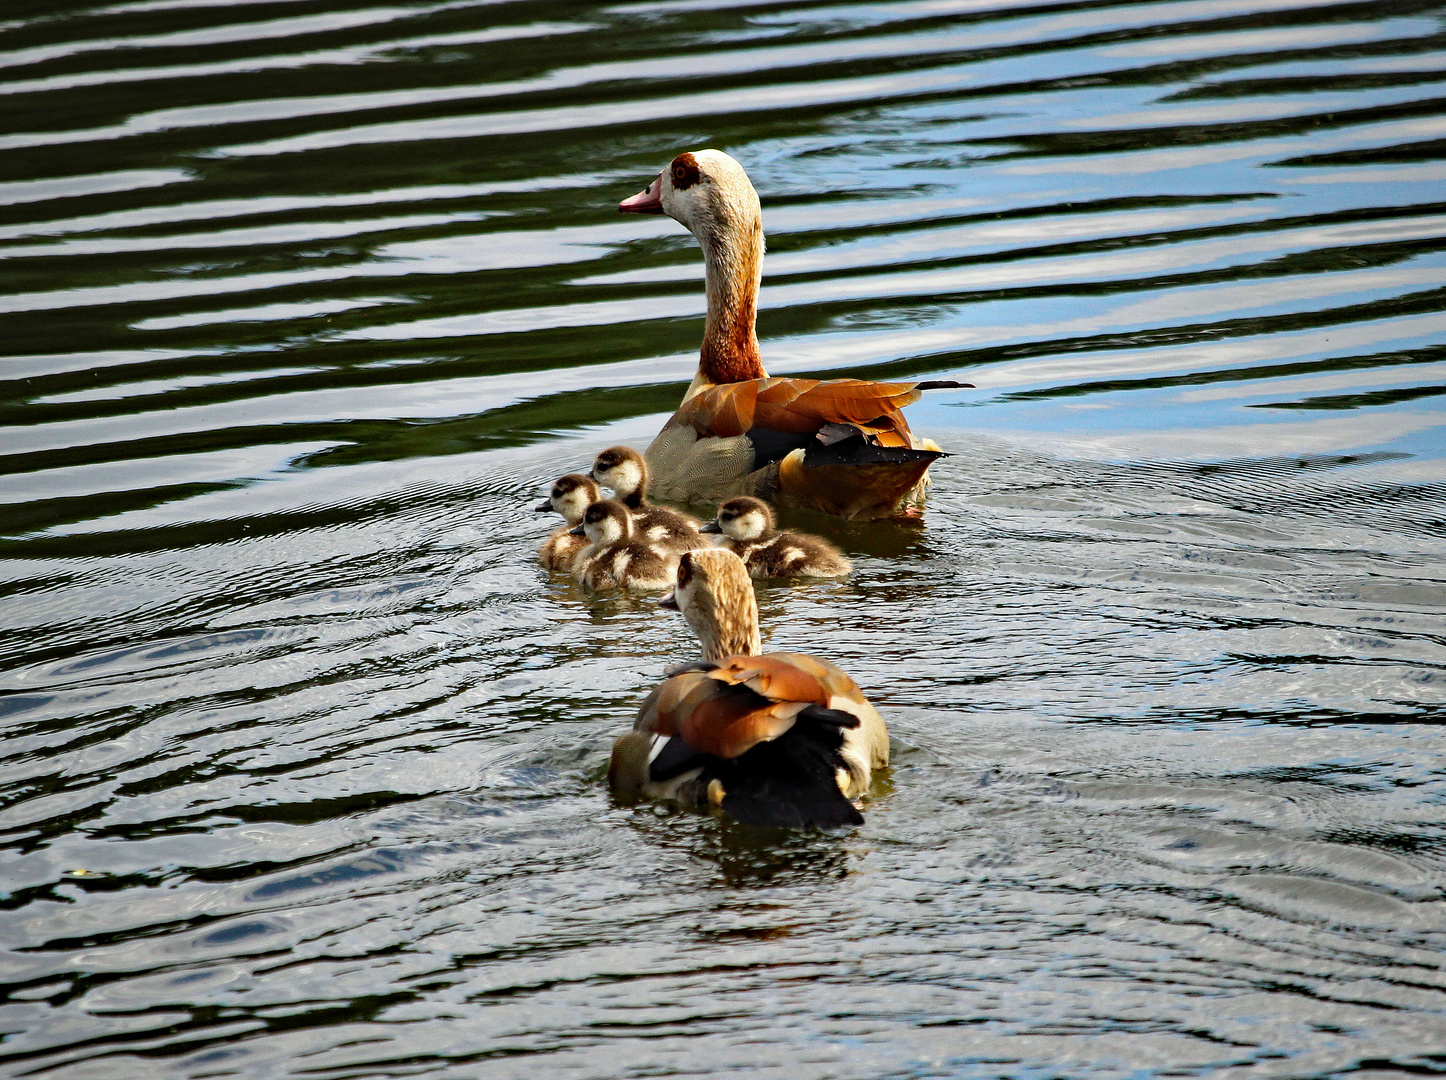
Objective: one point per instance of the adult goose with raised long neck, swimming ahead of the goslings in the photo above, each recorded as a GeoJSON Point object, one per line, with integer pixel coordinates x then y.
{"type": "Point", "coordinates": [841, 446]}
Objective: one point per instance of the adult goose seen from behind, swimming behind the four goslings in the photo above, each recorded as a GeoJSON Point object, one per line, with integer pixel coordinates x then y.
{"type": "Point", "coordinates": [777, 740]}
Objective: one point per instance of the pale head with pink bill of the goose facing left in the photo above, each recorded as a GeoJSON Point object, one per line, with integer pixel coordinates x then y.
{"type": "Point", "coordinates": [705, 192]}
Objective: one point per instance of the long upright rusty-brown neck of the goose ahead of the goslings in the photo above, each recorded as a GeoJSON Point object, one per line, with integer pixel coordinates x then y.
{"type": "Point", "coordinates": [734, 262]}
